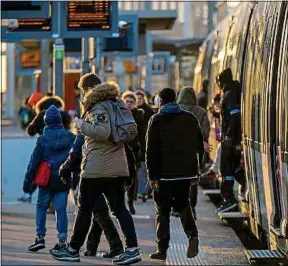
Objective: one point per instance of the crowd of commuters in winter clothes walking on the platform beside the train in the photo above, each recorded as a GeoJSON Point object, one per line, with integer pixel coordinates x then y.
{"type": "Point", "coordinates": [167, 156]}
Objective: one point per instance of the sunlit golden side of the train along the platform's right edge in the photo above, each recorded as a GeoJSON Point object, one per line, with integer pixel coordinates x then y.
{"type": "Point", "coordinates": [254, 43]}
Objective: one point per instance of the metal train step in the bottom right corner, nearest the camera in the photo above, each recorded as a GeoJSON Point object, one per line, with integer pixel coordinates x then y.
{"type": "Point", "coordinates": [265, 256]}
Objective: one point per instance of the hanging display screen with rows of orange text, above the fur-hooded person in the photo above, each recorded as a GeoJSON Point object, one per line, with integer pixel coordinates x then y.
{"type": "Point", "coordinates": [89, 15]}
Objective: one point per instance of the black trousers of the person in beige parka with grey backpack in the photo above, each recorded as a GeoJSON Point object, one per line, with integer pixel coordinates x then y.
{"type": "Point", "coordinates": [89, 191]}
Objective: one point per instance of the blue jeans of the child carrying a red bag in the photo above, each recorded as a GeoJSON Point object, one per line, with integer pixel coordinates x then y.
{"type": "Point", "coordinates": [59, 200]}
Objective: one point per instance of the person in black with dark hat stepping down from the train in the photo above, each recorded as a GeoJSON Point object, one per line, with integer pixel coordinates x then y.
{"type": "Point", "coordinates": [231, 137]}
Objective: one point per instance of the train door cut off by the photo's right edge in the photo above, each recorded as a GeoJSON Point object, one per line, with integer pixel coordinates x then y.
{"type": "Point", "coordinates": [282, 125]}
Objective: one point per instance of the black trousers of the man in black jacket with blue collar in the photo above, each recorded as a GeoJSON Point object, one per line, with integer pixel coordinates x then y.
{"type": "Point", "coordinates": [173, 194]}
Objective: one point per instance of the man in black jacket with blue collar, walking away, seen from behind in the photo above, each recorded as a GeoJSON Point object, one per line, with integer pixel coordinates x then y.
{"type": "Point", "coordinates": [174, 150]}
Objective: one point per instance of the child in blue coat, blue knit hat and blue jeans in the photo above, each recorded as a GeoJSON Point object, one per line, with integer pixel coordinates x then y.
{"type": "Point", "coordinates": [52, 147]}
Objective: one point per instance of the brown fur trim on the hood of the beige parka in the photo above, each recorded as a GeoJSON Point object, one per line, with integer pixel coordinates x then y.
{"type": "Point", "coordinates": [99, 93]}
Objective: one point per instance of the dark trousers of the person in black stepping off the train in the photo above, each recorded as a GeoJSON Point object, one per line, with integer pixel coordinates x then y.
{"type": "Point", "coordinates": [230, 161]}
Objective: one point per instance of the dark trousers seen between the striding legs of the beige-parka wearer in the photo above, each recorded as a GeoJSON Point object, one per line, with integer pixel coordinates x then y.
{"type": "Point", "coordinates": [102, 222]}
